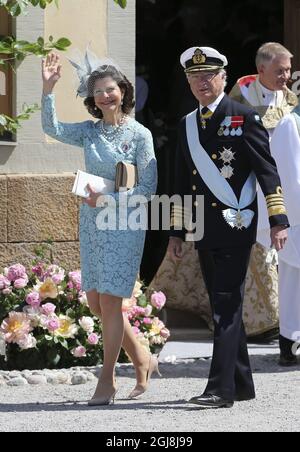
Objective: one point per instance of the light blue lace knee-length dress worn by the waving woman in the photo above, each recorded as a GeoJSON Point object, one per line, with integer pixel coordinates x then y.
{"type": "Point", "coordinates": [110, 259]}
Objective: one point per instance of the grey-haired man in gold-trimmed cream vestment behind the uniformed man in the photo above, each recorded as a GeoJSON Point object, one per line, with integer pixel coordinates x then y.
{"type": "Point", "coordinates": [268, 94]}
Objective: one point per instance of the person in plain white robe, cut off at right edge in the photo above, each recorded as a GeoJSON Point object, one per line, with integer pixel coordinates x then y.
{"type": "Point", "coordinates": [285, 148]}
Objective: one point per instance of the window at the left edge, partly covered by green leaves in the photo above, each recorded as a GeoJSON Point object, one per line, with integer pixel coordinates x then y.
{"type": "Point", "coordinates": [5, 74]}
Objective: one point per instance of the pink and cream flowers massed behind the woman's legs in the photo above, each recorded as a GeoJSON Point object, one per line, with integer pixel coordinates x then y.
{"type": "Point", "coordinates": [45, 321]}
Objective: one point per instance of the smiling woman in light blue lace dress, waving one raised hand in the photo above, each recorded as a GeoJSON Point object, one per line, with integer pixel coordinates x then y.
{"type": "Point", "coordinates": [110, 259]}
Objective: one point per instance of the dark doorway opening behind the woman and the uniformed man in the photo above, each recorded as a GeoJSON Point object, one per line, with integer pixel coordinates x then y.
{"type": "Point", "coordinates": [165, 28]}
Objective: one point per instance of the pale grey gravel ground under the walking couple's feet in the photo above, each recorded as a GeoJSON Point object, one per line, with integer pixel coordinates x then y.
{"type": "Point", "coordinates": [163, 408]}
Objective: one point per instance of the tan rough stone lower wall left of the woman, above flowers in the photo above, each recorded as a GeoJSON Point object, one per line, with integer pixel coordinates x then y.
{"type": "Point", "coordinates": [34, 209]}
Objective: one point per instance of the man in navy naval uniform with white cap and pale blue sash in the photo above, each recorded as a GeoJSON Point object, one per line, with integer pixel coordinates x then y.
{"type": "Point", "coordinates": [223, 150]}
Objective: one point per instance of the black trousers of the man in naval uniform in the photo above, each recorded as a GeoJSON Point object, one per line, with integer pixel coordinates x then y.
{"type": "Point", "coordinates": [224, 272]}
